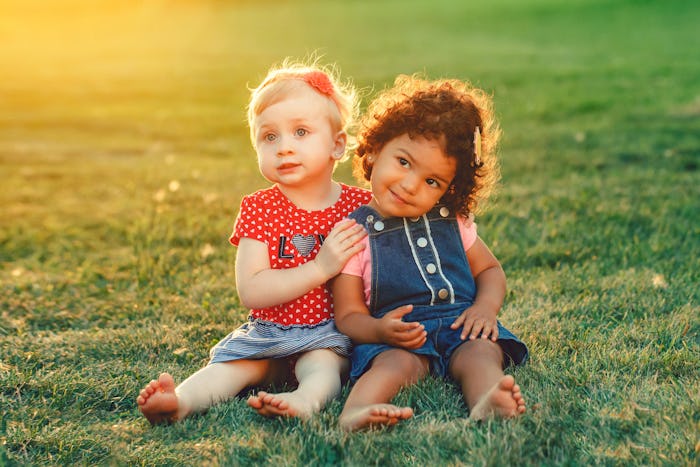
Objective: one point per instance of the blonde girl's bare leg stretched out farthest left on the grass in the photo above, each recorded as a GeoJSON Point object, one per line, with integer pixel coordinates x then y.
{"type": "Point", "coordinates": [161, 402]}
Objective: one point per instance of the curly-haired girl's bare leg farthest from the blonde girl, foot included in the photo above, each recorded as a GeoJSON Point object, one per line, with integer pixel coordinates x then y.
{"type": "Point", "coordinates": [477, 365]}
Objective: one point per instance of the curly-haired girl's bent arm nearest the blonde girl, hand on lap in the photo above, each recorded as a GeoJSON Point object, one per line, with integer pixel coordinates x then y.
{"type": "Point", "coordinates": [354, 320]}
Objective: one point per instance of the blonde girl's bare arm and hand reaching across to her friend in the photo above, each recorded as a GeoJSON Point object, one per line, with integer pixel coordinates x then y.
{"type": "Point", "coordinates": [260, 286]}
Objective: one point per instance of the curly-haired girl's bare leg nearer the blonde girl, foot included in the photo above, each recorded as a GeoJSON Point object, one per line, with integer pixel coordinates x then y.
{"type": "Point", "coordinates": [369, 401]}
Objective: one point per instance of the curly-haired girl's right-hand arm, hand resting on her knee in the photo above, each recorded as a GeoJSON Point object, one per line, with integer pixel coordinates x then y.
{"type": "Point", "coordinates": [490, 280]}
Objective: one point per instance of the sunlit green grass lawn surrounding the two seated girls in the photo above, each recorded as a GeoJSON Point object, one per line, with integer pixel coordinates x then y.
{"type": "Point", "coordinates": [110, 273]}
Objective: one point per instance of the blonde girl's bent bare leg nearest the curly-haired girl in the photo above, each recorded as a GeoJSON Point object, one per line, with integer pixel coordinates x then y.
{"type": "Point", "coordinates": [318, 372]}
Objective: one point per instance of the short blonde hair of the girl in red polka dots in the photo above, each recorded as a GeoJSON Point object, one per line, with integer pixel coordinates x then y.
{"type": "Point", "coordinates": [291, 75]}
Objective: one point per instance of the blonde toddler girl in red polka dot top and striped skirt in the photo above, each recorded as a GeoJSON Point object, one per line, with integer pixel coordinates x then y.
{"type": "Point", "coordinates": [288, 248]}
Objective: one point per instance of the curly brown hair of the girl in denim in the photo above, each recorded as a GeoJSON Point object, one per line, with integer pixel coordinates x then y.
{"type": "Point", "coordinates": [448, 110]}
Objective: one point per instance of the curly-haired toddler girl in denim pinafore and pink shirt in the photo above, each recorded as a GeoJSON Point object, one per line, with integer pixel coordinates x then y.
{"type": "Point", "coordinates": [424, 295]}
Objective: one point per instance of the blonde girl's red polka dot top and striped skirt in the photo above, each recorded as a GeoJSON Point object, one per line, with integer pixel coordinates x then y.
{"type": "Point", "coordinates": [293, 237]}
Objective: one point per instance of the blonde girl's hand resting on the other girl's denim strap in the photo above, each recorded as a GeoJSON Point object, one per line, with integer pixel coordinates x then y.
{"type": "Point", "coordinates": [340, 245]}
